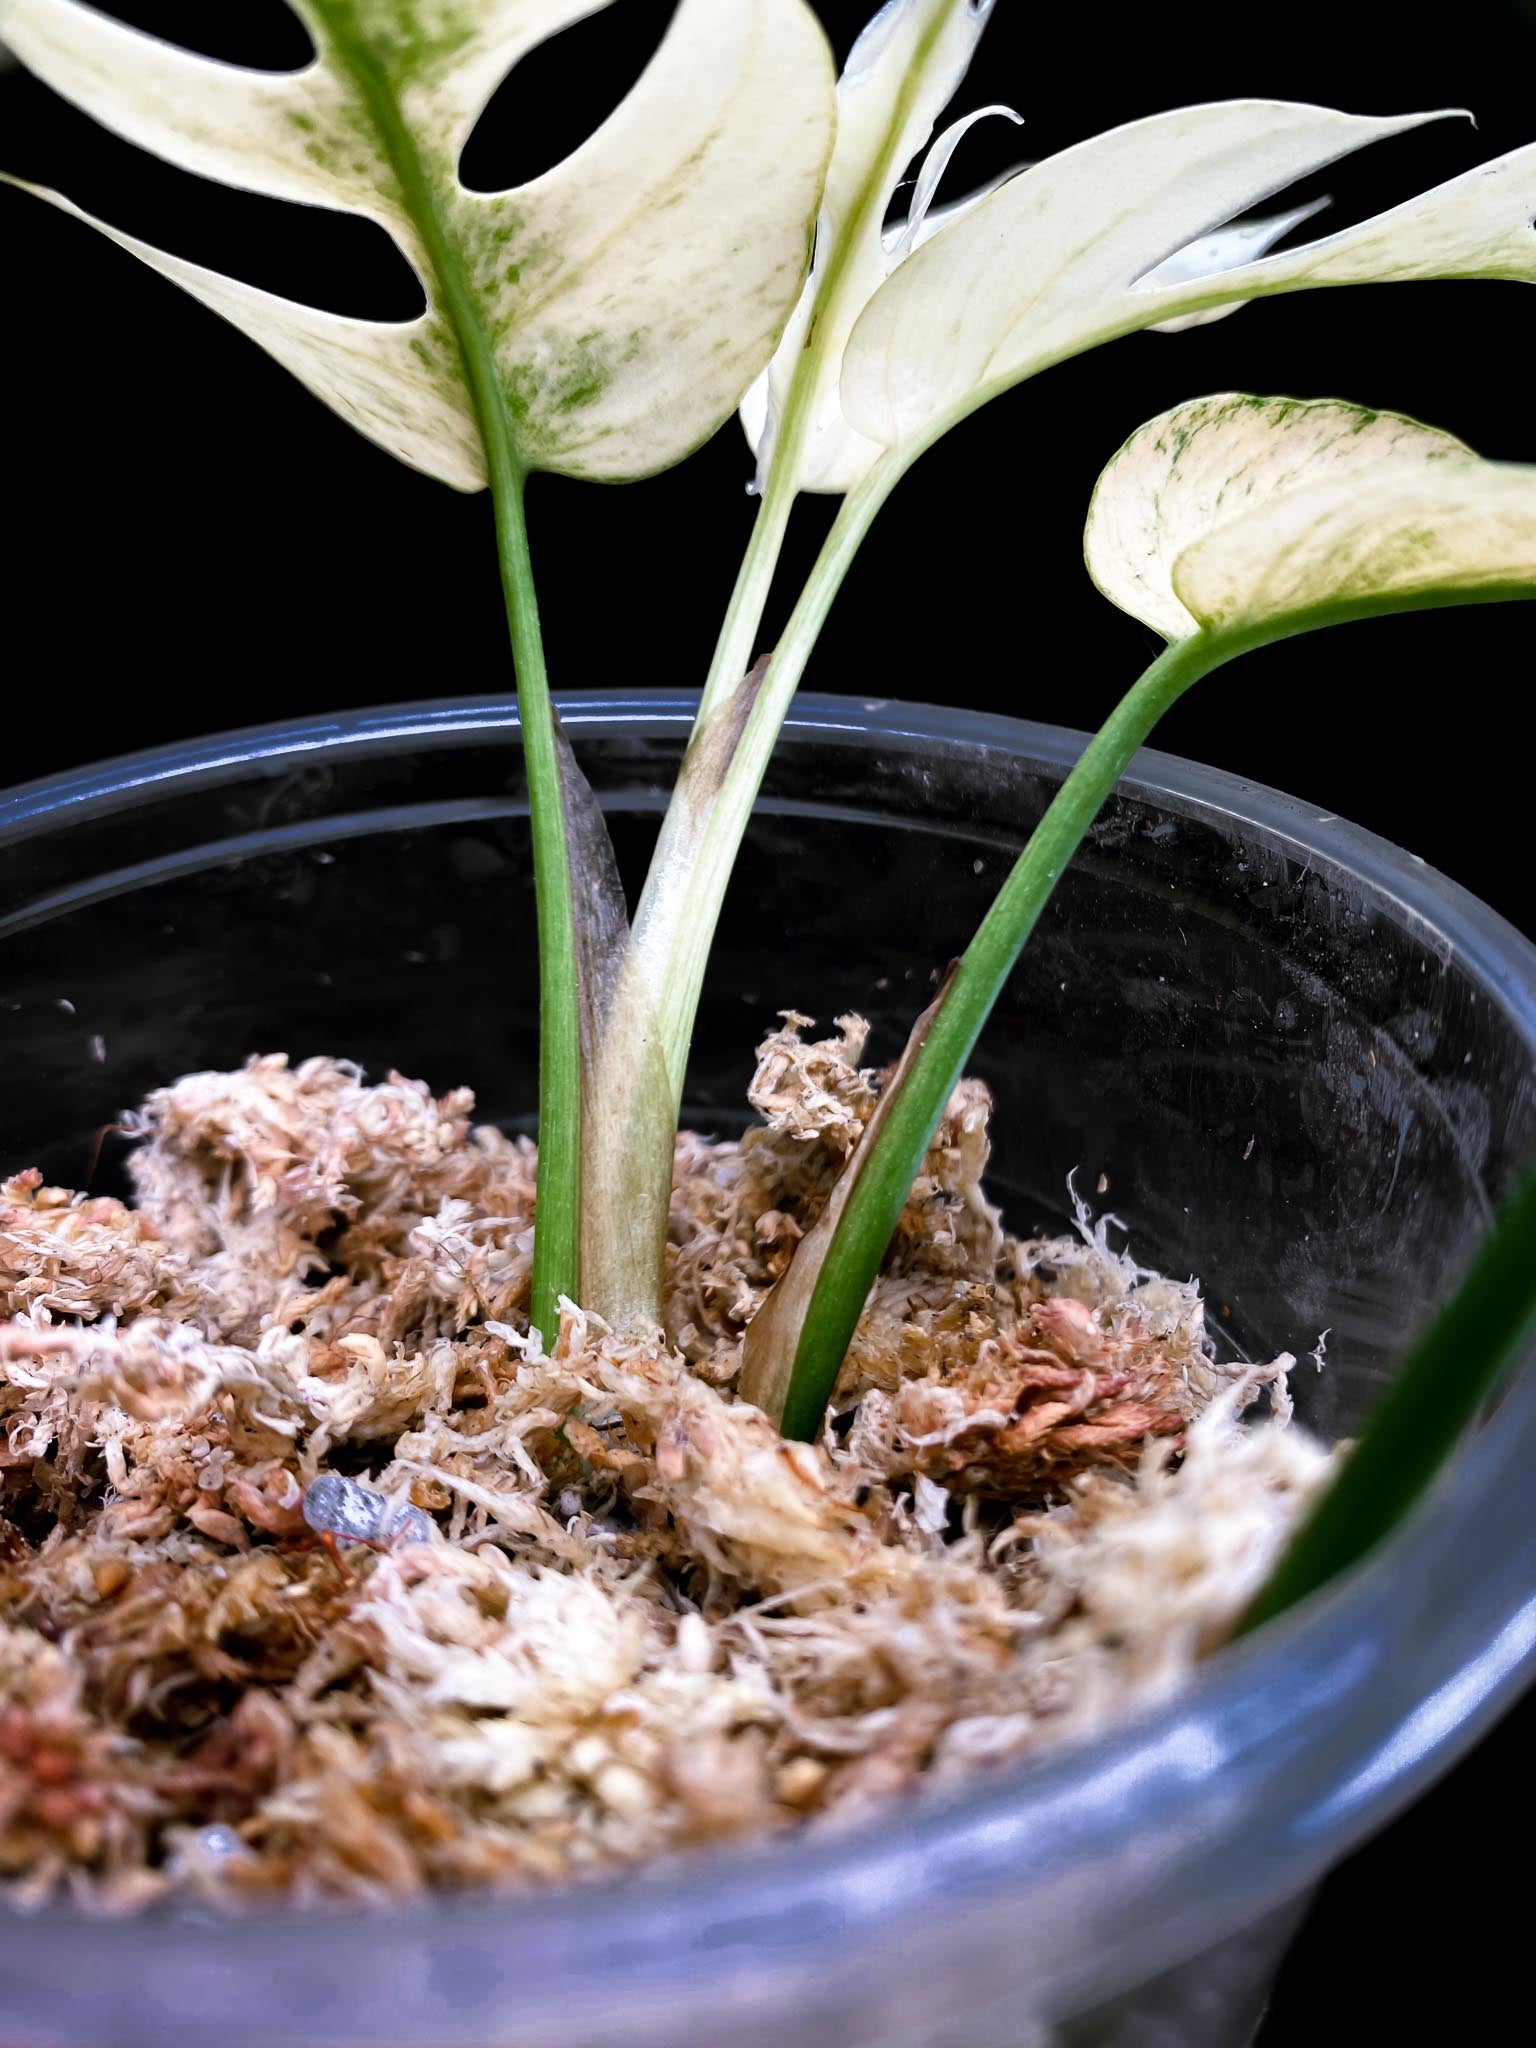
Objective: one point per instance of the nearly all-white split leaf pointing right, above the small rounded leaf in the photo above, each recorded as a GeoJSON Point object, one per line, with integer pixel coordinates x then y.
{"type": "Point", "coordinates": [1068, 255]}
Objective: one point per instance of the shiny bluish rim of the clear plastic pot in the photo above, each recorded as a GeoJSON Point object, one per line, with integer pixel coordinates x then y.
{"type": "Point", "coordinates": [1265, 1746]}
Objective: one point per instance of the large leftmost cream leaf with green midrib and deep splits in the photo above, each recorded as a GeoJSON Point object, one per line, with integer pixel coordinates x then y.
{"type": "Point", "coordinates": [624, 300]}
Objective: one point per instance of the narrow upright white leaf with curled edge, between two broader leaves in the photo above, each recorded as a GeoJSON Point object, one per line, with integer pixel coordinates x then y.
{"type": "Point", "coordinates": [900, 77]}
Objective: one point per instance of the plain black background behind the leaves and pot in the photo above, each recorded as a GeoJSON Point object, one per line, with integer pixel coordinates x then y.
{"type": "Point", "coordinates": [198, 544]}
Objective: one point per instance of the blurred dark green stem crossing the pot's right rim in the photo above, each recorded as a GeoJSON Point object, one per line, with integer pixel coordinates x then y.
{"type": "Point", "coordinates": [1457, 1365]}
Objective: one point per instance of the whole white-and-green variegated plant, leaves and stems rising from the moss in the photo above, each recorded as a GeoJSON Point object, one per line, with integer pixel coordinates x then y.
{"type": "Point", "coordinates": [722, 241]}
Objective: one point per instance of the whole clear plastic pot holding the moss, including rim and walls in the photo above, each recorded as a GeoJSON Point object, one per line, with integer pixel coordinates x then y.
{"type": "Point", "coordinates": [1302, 1060]}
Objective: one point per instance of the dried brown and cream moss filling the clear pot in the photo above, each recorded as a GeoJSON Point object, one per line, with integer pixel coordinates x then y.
{"type": "Point", "coordinates": [640, 1621]}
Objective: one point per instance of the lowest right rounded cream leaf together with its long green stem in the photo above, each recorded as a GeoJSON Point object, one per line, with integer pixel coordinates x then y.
{"type": "Point", "coordinates": [1226, 525]}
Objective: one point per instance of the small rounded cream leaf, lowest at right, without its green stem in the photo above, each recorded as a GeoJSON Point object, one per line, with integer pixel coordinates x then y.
{"type": "Point", "coordinates": [1238, 511]}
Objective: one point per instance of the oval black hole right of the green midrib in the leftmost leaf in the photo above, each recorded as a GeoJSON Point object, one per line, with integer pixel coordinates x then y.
{"type": "Point", "coordinates": [562, 91]}
